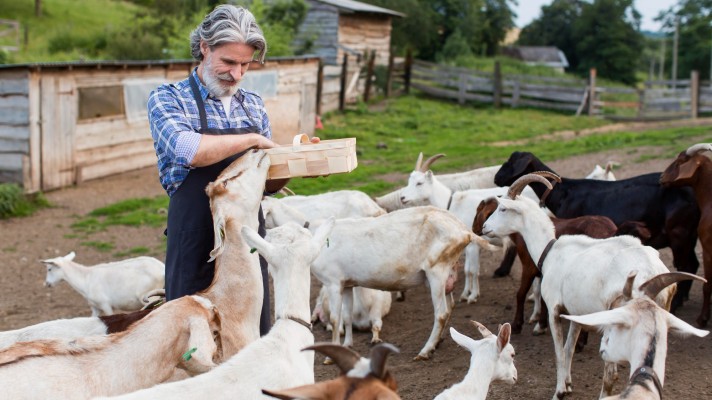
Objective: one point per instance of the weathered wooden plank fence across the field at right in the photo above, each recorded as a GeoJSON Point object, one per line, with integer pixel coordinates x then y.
{"type": "Point", "coordinates": [656, 100]}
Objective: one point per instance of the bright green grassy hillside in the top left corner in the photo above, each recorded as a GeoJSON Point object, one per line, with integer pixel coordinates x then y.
{"type": "Point", "coordinates": [64, 22]}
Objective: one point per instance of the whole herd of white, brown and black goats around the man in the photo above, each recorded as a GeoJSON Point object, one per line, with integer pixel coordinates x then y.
{"type": "Point", "coordinates": [587, 246]}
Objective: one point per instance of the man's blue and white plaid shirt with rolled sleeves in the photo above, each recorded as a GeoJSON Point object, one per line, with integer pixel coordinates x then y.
{"type": "Point", "coordinates": [175, 120]}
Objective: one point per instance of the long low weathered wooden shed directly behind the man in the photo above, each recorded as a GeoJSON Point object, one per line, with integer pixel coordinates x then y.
{"type": "Point", "coordinates": [63, 123]}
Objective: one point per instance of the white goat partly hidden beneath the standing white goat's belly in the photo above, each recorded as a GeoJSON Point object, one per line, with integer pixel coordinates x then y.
{"type": "Point", "coordinates": [369, 308]}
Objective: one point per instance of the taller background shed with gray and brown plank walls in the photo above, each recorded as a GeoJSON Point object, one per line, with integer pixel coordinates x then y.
{"type": "Point", "coordinates": [332, 27]}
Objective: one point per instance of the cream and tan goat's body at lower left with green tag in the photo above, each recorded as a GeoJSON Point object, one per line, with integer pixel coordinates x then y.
{"type": "Point", "coordinates": [118, 363]}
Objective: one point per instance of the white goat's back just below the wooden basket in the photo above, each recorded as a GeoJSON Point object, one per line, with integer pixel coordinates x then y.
{"type": "Point", "coordinates": [337, 204]}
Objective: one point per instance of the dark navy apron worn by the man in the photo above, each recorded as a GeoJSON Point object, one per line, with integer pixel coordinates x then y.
{"type": "Point", "coordinates": [190, 223]}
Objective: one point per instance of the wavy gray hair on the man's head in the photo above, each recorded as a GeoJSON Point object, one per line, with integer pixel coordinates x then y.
{"type": "Point", "coordinates": [228, 24]}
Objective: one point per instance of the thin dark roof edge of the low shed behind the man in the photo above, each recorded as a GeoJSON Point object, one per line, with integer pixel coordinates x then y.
{"type": "Point", "coordinates": [126, 63]}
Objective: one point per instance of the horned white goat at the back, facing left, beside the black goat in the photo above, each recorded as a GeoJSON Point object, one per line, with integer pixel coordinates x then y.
{"type": "Point", "coordinates": [424, 186]}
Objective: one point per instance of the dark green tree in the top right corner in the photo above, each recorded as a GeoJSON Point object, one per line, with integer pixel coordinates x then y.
{"type": "Point", "coordinates": [695, 38]}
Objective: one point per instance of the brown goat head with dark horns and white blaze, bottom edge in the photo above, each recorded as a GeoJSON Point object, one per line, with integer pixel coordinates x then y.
{"type": "Point", "coordinates": [362, 379]}
